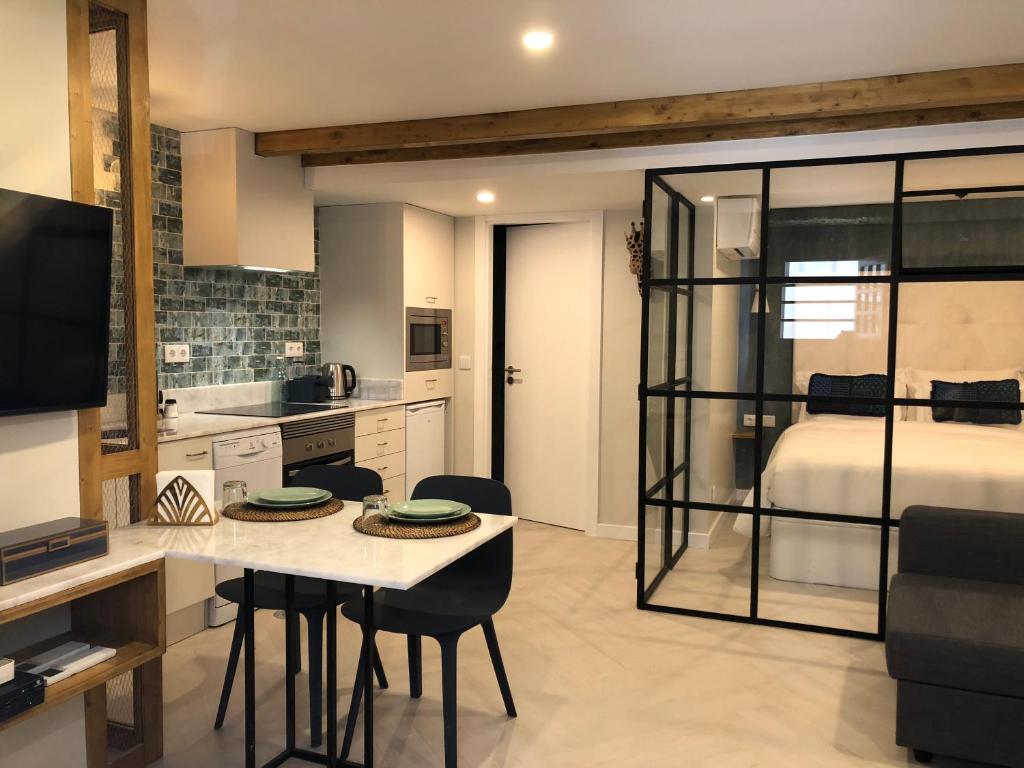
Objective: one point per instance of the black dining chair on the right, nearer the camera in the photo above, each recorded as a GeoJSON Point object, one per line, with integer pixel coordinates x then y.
{"type": "Point", "coordinates": [464, 595]}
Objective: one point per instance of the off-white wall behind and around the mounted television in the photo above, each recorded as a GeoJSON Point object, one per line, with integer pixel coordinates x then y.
{"type": "Point", "coordinates": [38, 454]}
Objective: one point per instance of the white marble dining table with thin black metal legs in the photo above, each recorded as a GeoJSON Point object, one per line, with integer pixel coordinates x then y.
{"type": "Point", "coordinates": [327, 548]}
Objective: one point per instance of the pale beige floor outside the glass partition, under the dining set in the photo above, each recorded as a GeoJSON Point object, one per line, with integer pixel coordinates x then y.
{"type": "Point", "coordinates": [596, 684]}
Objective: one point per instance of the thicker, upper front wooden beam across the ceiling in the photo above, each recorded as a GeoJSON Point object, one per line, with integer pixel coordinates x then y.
{"type": "Point", "coordinates": [643, 122]}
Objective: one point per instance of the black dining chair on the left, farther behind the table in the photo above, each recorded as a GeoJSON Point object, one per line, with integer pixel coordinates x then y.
{"type": "Point", "coordinates": [311, 595]}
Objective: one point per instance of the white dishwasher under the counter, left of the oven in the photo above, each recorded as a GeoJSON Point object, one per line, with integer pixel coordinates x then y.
{"type": "Point", "coordinates": [254, 457]}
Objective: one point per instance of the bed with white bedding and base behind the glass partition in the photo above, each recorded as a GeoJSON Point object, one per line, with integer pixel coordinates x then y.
{"type": "Point", "coordinates": [833, 464]}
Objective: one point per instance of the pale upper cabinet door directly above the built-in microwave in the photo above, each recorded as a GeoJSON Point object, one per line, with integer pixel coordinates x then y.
{"type": "Point", "coordinates": [429, 241]}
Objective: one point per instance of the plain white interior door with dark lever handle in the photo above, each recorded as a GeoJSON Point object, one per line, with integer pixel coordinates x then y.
{"type": "Point", "coordinates": [551, 410]}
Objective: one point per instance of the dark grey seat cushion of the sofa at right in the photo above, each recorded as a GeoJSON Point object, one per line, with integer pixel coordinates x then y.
{"type": "Point", "coordinates": [957, 633]}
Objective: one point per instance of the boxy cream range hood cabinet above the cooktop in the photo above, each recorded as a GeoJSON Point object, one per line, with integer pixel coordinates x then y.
{"type": "Point", "coordinates": [240, 209]}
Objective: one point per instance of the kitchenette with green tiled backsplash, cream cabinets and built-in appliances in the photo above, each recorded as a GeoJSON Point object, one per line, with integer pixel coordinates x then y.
{"type": "Point", "coordinates": [257, 294]}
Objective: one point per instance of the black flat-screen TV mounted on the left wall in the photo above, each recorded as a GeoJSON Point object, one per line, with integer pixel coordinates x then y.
{"type": "Point", "coordinates": [55, 304]}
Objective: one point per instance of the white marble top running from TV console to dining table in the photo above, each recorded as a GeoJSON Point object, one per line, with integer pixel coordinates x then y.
{"type": "Point", "coordinates": [326, 548]}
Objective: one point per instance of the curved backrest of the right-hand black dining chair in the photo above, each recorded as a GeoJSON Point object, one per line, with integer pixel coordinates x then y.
{"type": "Point", "coordinates": [489, 568]}
